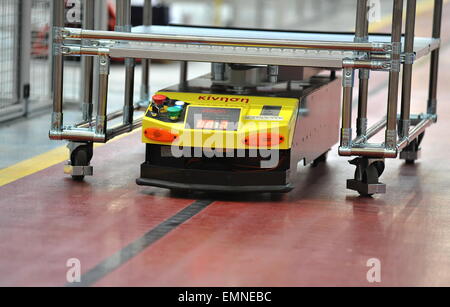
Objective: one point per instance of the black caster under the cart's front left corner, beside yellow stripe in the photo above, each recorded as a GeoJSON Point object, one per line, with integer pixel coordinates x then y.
{"type": "Point", "coordinates": [80, 157]}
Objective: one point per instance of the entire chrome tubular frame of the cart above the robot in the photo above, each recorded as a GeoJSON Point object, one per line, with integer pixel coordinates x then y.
{"type": "Point", "coordinates": [360, 54]}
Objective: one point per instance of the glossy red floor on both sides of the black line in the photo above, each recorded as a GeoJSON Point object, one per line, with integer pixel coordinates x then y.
{"type": "Point", "coordinates": [319, 234]}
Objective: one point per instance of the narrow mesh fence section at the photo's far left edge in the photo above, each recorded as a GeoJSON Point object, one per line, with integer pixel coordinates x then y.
{"type": "Point", "coordinates": [9, 14]}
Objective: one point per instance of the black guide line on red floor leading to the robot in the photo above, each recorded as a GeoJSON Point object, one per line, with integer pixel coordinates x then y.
{"type": "Point", "coordinates": [131, 250]}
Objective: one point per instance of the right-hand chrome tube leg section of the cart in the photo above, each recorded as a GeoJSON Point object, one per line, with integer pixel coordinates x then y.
{"type": "Point", "coordinates": [398, 56]}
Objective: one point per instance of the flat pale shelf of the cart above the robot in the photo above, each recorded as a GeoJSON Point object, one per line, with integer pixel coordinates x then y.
{"type": "Point", "coordinates": [241, 53]}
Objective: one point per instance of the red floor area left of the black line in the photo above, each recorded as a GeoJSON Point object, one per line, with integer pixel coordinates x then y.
{"type": "Point", "coordinates": [47, 218]}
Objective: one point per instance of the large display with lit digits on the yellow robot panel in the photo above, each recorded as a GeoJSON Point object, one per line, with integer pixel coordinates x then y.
{"type": "Point", "coordinates": [213, 118]}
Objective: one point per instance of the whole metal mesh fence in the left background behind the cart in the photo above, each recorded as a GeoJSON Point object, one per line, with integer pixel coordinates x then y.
{"type": "Point", "coordinates": [40, 61]}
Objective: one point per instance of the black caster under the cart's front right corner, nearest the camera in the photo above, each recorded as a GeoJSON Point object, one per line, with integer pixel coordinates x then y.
{"type": "Point", "coordinates": [367, 173]}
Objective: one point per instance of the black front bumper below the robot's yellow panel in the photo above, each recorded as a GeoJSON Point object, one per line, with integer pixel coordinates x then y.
{"type": "Point", "coordinates": [198, 172]}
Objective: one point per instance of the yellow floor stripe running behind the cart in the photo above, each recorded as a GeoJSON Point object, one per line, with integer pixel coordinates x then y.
{"type": "Point", "coordinates": [60, 154]}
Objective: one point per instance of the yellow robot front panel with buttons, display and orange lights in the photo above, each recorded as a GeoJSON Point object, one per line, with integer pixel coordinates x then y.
{"type": "Point", "coordinates": [227, 121]}
